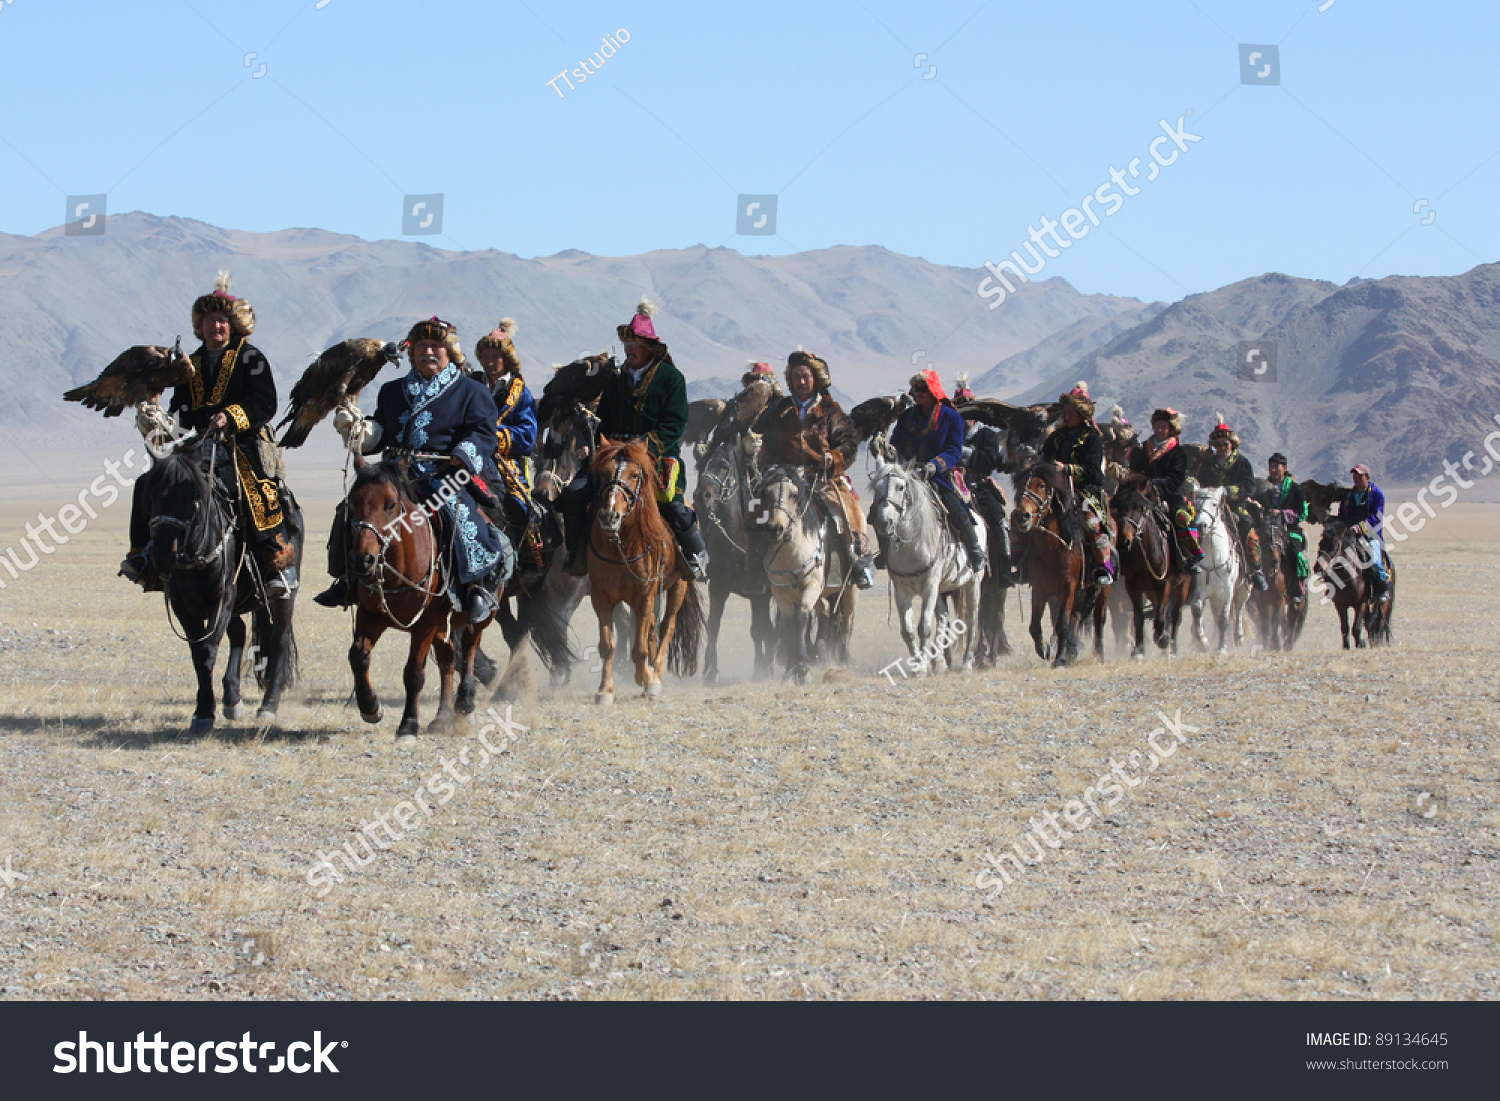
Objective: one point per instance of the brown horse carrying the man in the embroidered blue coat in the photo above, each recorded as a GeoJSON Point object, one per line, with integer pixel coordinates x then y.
{"type": "Point", "coordinates": [400, 583]}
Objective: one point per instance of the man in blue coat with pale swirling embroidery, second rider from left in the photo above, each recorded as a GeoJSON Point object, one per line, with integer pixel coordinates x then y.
{"type": "Point", "coordinates": [436, 410]}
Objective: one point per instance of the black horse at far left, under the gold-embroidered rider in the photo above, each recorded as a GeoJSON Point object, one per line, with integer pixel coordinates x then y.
{"type": "Point", "coordinates": [211, 580]}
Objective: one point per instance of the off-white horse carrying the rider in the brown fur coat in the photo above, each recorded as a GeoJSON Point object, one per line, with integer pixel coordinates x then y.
{"type": "Point", "coordinates": [797, 565]}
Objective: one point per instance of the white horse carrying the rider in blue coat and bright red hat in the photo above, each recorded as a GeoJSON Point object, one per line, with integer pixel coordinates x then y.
{"type": "Point", "coordinates": [923, 559]}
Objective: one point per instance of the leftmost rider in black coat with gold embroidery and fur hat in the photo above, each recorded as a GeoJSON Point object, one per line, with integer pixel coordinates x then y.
{"type": "Point", "coordinates": [232, 394]}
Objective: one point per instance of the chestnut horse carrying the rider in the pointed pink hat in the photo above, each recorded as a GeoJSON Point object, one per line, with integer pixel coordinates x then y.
{"type": "Point", "coordinates": [632, 559]}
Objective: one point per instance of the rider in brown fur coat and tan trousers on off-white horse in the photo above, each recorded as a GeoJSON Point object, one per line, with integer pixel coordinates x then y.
{"type": "Point", "coordinates": [809, 431]}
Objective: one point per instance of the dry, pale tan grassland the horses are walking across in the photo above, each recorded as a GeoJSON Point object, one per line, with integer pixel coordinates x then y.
{"type": "Point", "coordinates": [760, 842]}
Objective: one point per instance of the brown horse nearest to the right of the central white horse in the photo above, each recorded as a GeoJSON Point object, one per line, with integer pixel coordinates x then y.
{"type": "Point", "coordinates": [1060, 578]}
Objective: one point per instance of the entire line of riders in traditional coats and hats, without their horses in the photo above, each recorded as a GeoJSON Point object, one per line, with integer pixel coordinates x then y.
{"type": "Point", "coordinates": [445, 419]}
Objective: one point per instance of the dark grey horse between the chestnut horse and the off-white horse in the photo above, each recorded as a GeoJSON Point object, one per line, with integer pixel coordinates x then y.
{"type": "Point", "coordinates": [722, 502]}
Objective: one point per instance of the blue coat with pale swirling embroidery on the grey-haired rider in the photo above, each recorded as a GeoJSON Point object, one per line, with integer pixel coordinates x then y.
{"type": "Point", "coordinates": [449, 415]}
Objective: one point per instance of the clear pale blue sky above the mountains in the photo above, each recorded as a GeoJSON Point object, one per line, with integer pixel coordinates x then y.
{"type": "Point", "coordinates": [1016, 113]}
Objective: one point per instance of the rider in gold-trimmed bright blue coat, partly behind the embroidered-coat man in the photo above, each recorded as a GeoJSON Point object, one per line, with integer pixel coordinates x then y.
{"type": "Point", "coordinates": [515, 437]}
